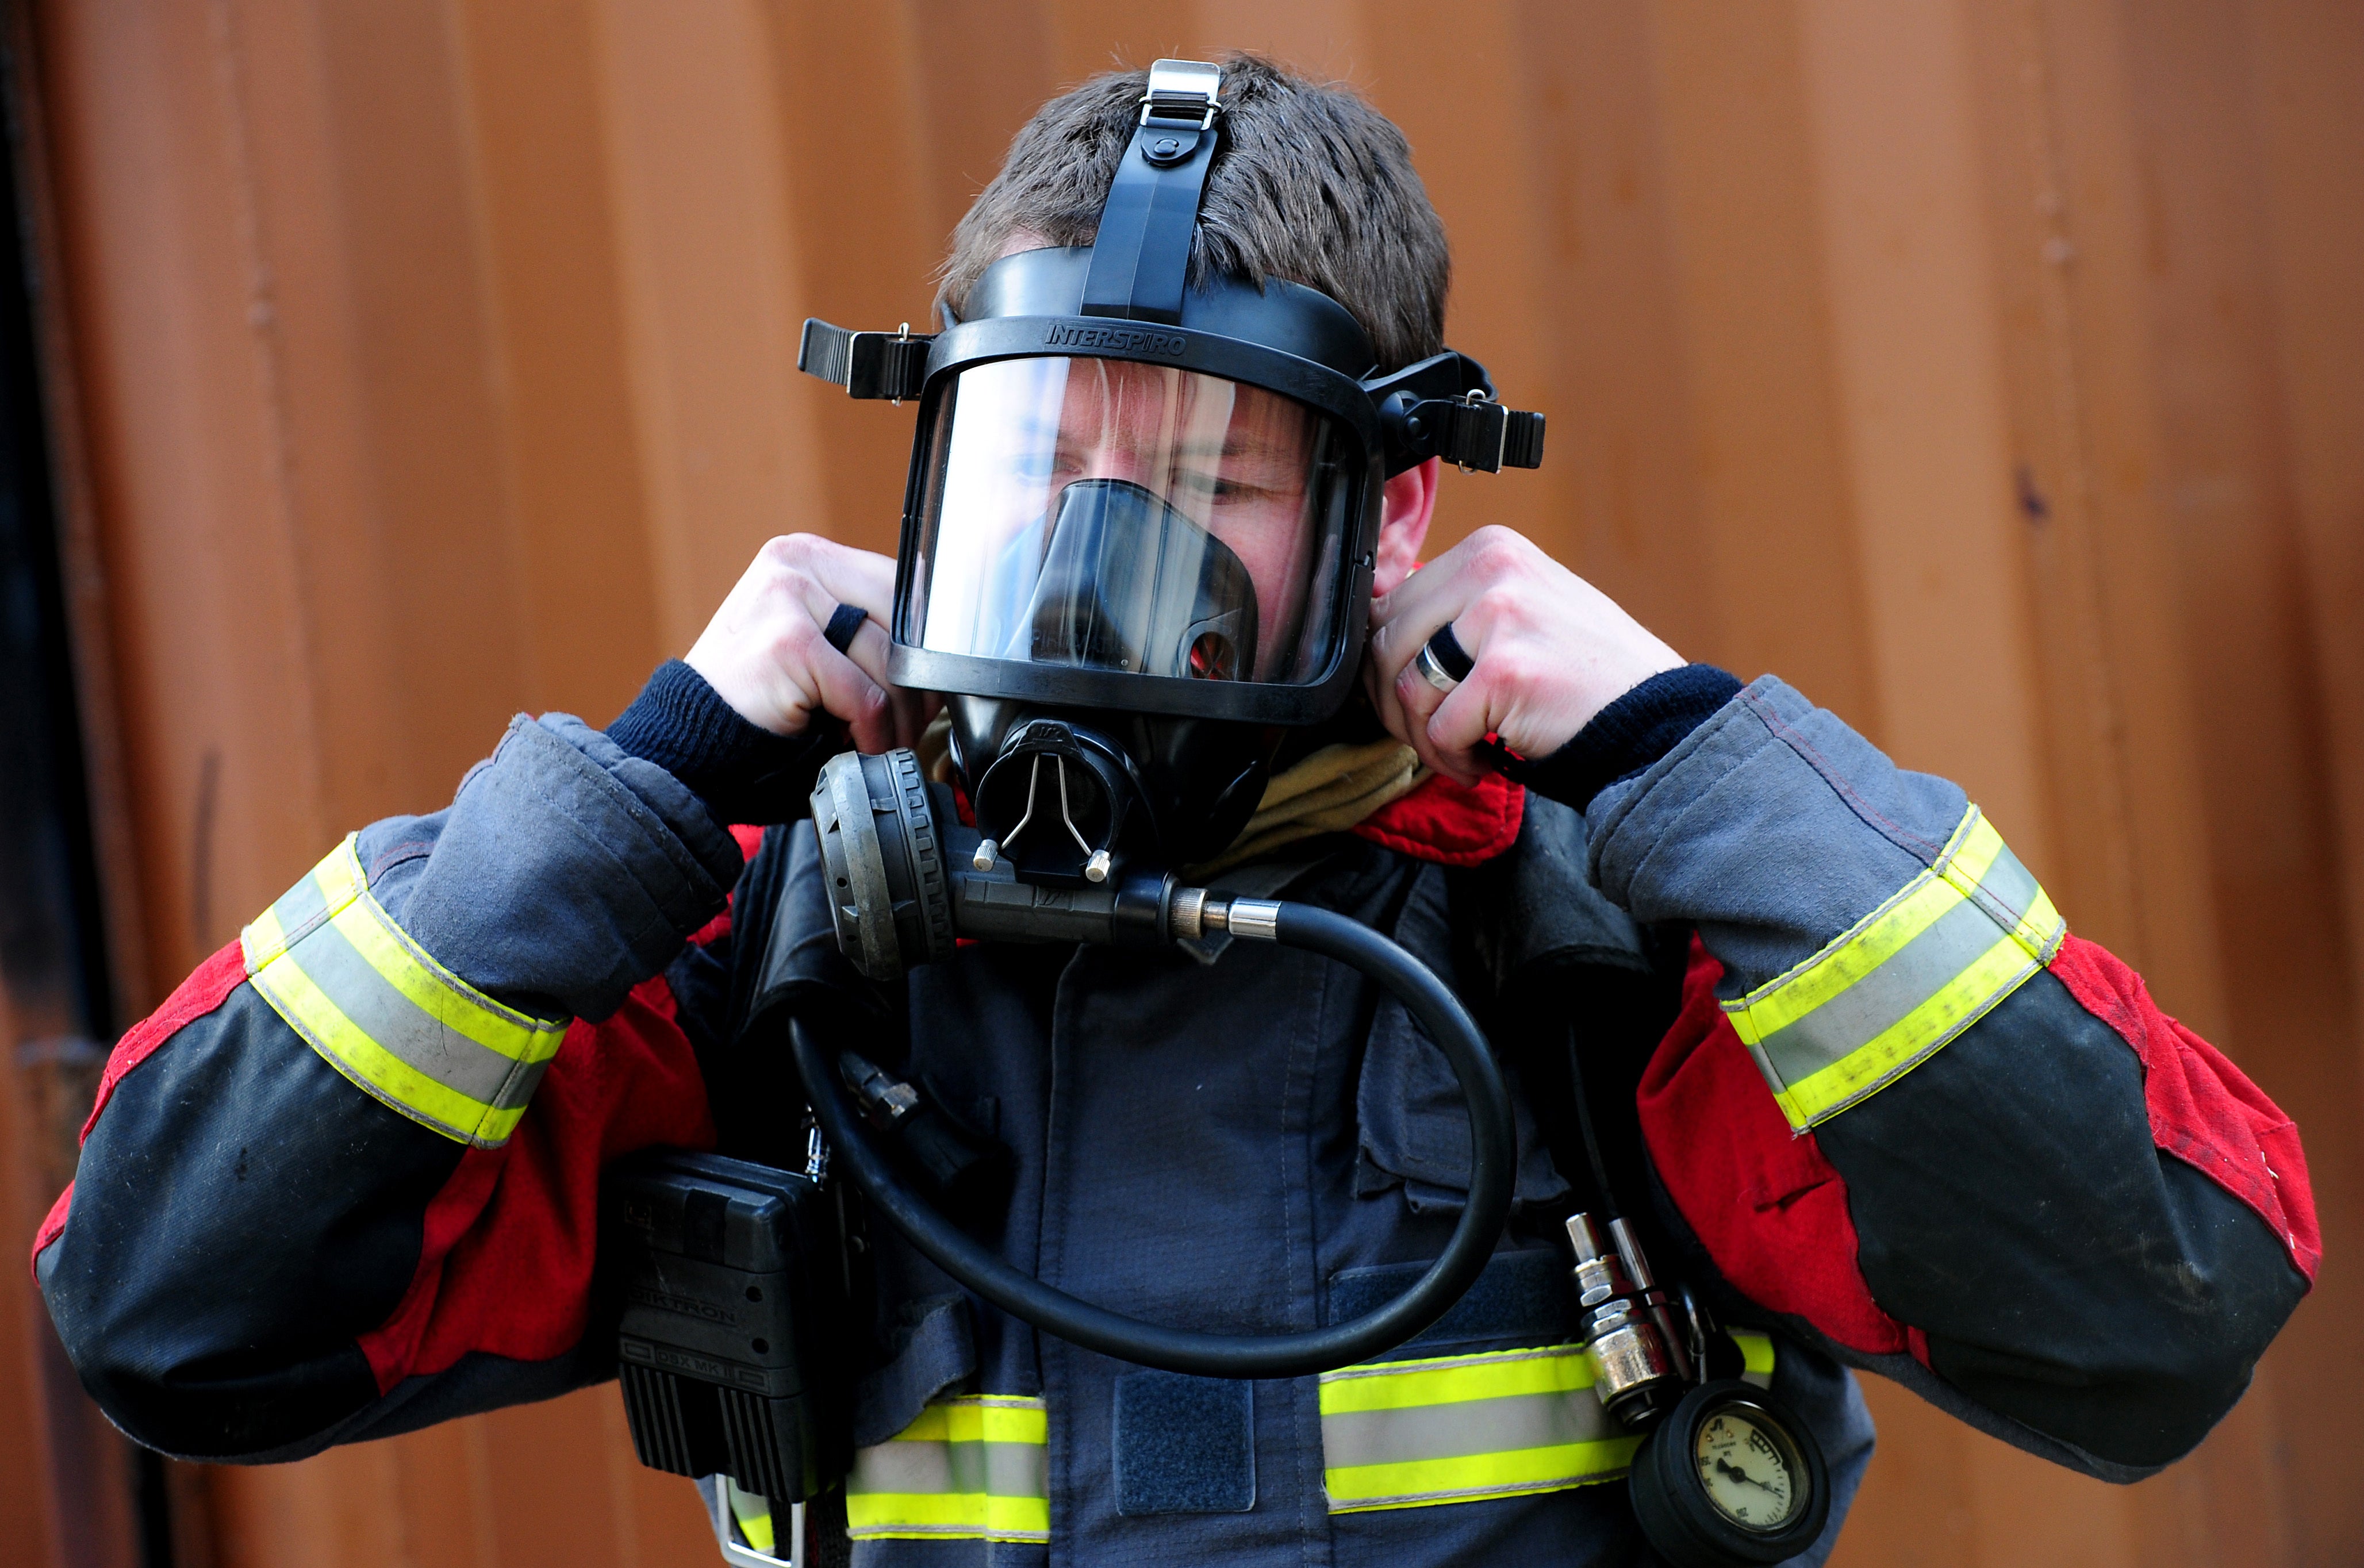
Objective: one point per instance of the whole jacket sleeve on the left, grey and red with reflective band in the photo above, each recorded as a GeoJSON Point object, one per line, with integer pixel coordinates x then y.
{"type": "Point", "coordinates": [282, 1236]}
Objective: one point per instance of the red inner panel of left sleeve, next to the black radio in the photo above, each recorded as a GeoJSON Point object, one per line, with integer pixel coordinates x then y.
{"type": "Point", "coordinates": [507, 1252]}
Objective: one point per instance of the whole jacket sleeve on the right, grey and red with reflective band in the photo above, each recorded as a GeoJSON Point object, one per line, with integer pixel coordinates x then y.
{"type": "Point", "coordinates": [1921, 1120]}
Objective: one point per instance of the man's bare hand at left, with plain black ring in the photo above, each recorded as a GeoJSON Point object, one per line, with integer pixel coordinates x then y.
{"type": "Point", "coordinates": [765, 652]}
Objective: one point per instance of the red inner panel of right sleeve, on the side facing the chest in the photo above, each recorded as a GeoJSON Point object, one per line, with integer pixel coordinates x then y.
{"type": "Point", "coordinates": [1769, 1210]}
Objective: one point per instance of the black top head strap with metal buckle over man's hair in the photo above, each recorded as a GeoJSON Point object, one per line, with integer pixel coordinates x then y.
{"type": "Point", "coordinates": [1141, 257]}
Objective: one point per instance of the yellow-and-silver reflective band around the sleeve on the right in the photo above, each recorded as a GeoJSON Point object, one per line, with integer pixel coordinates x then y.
{"type": "Point", "coordinates": [1909, 978]}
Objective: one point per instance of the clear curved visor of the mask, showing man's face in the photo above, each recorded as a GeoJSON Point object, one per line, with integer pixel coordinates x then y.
{"type": "Point", "coordinates": [1134, 519]}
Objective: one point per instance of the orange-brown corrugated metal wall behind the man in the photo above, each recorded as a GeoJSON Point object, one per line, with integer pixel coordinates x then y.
{"type": "Point", "coordinates": [1989, 368]}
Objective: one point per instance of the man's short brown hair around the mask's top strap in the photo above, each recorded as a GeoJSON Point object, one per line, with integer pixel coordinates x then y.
{"type": "Point", "coordinates": [1311, 186]}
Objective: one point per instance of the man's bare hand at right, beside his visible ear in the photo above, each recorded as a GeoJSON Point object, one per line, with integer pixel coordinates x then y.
{"type": "Point", "coordinates": [1550, 654]}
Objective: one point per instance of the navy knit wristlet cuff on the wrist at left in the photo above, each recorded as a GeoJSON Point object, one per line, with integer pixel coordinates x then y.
{"type": "Point", "coordinates": [741, 770]}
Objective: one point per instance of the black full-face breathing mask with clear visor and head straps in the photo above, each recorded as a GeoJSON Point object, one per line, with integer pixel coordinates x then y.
{"type": "Point", "coordinates": [1143, 517]}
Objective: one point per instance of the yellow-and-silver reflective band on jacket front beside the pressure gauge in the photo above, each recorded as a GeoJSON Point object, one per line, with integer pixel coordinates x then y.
{"type": "Point", "coordinates": [1467, 1427]}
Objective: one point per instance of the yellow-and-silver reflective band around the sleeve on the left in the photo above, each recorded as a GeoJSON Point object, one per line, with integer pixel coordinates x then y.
{"type": "Point", "coordinates": [384, 1013]}
